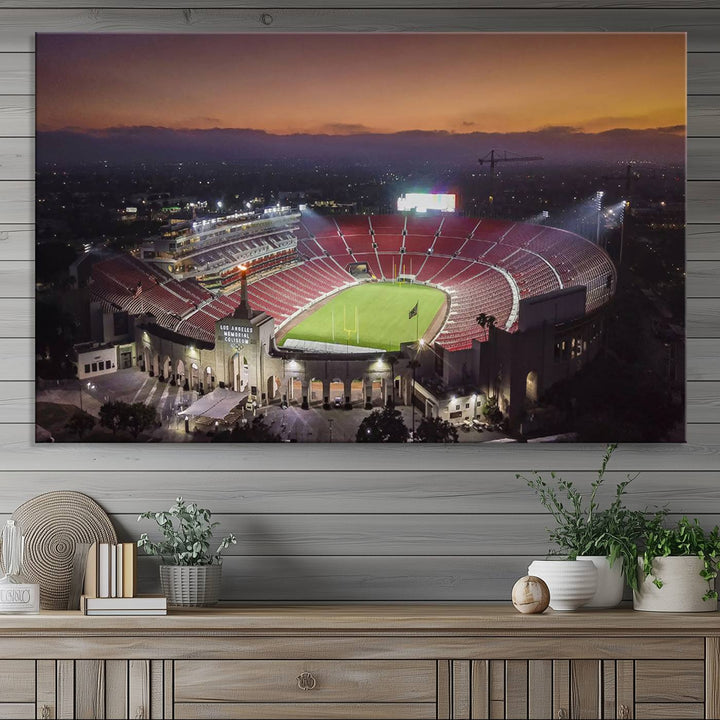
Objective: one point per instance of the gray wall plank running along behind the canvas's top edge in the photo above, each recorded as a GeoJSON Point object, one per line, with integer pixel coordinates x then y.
{"type": "Point", "coordinates": [20, 25]}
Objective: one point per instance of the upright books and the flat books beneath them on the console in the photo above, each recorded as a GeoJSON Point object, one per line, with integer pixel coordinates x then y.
{"type": "Point", "coordinates": [111, 583]}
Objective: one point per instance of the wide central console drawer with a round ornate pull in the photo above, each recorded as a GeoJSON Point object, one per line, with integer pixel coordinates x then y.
{"type": "Point", "coordinates": [297, 681]}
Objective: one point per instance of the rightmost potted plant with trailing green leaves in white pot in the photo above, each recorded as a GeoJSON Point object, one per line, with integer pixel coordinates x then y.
{"type": "Point", "coordinates": [677, 568]}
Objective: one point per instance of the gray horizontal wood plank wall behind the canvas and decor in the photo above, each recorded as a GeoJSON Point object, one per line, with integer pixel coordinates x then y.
{"type": "Point", "coordinates": [343, 523]}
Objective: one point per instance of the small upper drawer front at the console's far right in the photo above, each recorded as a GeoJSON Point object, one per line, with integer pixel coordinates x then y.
{"type": "Point", "coordinates": [672, 681]}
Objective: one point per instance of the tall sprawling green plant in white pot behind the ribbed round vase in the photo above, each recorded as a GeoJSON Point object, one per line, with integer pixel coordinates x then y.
{"type": "Point", "coordinates": [583, 530]}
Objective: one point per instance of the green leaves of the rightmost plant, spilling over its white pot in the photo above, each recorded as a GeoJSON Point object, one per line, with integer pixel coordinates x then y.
{"type": "Point", "coordinates": [686, 538]}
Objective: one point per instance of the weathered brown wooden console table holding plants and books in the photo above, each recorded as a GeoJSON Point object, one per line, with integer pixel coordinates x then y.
{"type": "Point", "coordinates": [361, 662]}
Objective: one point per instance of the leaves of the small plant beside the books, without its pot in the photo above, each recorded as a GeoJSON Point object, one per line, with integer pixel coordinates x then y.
{"type": "Point", "coordinates": [186, 530]}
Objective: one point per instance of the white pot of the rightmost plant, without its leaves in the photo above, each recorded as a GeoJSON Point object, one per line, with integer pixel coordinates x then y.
{"type": "Point", "coordinates": [682, 589]}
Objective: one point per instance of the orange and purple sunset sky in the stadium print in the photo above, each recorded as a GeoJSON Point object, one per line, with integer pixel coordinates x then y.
{"type": "Point", "coordinates": [345, 84]}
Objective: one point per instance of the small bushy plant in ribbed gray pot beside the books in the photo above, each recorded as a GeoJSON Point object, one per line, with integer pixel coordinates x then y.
{"type": "Point", "coordinates": [190, 574]}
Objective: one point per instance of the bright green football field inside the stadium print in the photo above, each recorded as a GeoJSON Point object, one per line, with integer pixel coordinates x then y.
{"type": "Point", "coordinates": [372, 315]}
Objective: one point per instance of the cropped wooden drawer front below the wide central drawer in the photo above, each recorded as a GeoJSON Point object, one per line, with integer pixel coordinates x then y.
{"type": "Point", "coordinates": [306, 711]}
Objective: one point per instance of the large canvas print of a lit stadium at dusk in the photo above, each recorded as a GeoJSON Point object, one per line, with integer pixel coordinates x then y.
{"type": "Point", "coordinates": [360, 237]}
